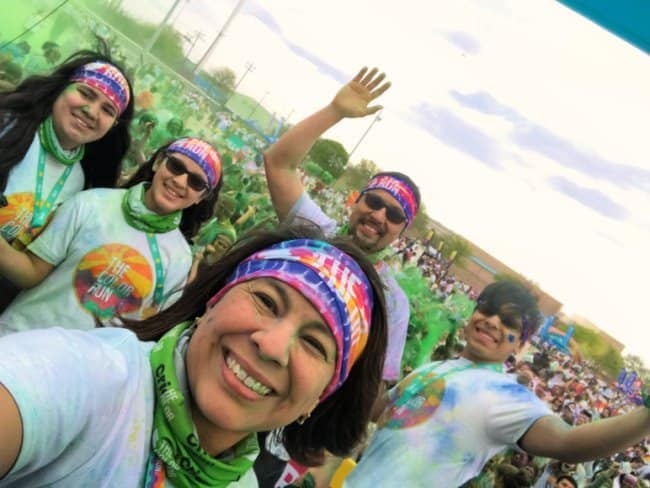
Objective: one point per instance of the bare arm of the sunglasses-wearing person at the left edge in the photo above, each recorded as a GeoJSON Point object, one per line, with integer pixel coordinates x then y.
{"type": "Point", "coordinates": [23, 269]}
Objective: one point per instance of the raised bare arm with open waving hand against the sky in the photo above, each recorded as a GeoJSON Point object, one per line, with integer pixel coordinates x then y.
{"type": "Point", "coordinates": [282, 159]}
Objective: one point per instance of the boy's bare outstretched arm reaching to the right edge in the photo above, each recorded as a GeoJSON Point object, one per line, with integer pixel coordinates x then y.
{"type": "Point", "coordinates": [551, 437]}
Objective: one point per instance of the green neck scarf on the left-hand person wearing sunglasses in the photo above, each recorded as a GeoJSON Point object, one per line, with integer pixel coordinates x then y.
{"type": "Point", "coordinates": [139, 217]}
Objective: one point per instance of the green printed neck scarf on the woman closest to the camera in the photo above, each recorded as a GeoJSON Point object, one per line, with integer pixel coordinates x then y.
{"type": "Point", "coordinates": [174, 438]}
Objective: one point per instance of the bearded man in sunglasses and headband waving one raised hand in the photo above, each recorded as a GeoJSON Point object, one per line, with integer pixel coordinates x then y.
{"type": "Point", "coordinates": [384, 209]}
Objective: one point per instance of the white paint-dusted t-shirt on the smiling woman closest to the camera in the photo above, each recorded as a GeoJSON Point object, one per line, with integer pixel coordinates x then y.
{"type": "Point", "coordinates": [86, 401]}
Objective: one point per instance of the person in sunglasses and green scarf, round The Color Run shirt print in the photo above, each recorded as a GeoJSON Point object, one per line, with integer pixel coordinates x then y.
{"type": "Point", "coordinates": [117, 252]}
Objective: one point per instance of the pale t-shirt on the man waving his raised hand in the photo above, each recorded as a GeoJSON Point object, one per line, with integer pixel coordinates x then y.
{"type": "Point", "coordinates": [306, 211]}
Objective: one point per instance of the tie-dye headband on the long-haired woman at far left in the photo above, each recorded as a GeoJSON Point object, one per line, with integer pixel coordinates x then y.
{"type": "Point", "coordinates": [108, 79]}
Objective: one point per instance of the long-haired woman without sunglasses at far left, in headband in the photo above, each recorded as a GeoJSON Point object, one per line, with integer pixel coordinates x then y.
{"type": "Point", "coordinates": [59, 134]}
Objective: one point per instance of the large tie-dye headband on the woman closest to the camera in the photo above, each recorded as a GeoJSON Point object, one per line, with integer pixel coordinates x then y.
{"type": "Point", "coordinates": [331, 280]}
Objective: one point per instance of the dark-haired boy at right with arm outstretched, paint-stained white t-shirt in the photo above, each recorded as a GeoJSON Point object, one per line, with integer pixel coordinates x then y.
{"type": "Point", "coordinates": [445, 420]}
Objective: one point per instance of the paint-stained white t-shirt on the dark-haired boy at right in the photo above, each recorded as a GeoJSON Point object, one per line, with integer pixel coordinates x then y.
{"type": "Point", "coordinates": [444, 421]}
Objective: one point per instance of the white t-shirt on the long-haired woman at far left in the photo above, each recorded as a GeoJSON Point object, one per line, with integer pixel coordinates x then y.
{"type": "Point", "coordinates": [21, 186]}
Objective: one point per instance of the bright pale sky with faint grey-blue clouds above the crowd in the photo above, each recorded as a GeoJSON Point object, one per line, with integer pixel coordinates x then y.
{"type": "Point", "coordinates": [524, 124]}
